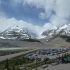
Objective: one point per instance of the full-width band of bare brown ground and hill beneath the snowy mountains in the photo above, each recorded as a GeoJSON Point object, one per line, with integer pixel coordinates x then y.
{"type": "Point", "coordinates": [51, 43]}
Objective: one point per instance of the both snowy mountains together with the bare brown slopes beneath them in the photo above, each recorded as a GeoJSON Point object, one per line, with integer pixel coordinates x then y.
{"type": "Point", "coordinates": [22, 37]}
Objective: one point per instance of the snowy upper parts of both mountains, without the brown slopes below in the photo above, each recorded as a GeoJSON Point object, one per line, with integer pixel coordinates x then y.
{"type": "Point", "coordinates": [16, 32]}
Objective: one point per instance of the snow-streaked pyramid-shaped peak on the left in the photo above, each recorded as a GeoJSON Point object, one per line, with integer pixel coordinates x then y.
{"type": "Point", "coordinates": [14, 32]}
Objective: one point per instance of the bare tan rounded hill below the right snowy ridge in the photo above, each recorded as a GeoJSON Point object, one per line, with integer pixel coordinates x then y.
{"type": "Point", "coordinates": [56, 42]}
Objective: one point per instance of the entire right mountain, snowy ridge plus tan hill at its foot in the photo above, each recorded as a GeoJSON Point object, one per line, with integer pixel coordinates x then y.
{"type": "Point", "coordinates": [59, 37]}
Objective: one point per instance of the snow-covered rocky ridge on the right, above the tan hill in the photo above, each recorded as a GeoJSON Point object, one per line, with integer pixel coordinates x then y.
{"type": "Point", "coordinates": [62, 30]}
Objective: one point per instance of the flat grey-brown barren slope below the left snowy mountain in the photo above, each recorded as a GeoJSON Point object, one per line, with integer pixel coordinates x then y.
{"type": "Point", "coordinates": [19, 43]}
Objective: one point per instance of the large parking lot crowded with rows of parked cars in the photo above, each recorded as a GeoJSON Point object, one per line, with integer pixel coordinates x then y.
{"type": "Point", "coordinates": [47, 53]}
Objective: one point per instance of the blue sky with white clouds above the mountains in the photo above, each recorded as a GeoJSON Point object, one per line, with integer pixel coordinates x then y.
{"type": "Point", "coordinates": [36, 15]}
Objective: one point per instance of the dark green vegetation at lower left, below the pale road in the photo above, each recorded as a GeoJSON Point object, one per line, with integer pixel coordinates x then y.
{"type": "Point", "coordinates": [15, 62]}
